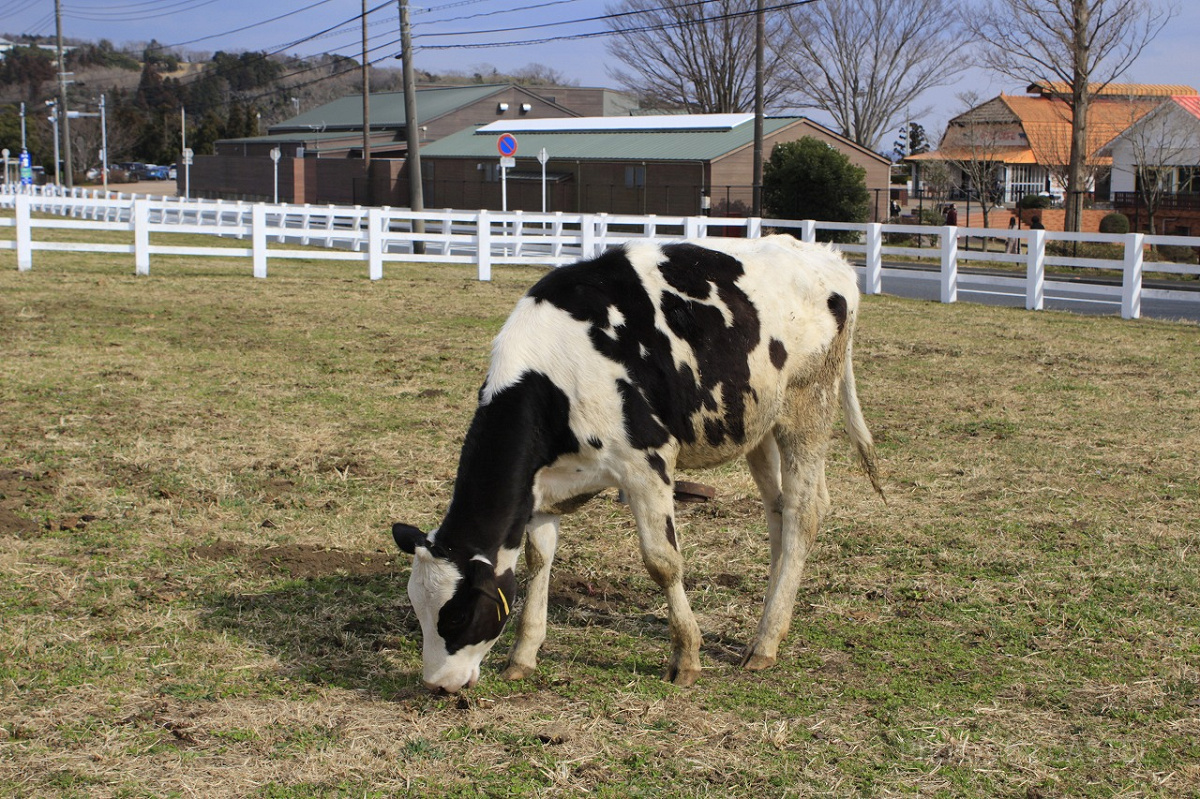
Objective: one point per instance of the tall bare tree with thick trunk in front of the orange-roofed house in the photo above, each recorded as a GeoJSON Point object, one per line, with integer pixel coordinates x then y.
{"type": "Point", "coordinates": [1084, 45]}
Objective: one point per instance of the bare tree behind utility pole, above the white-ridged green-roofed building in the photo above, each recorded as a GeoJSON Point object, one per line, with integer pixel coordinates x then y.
{"type": "Point", "coordinates": [694, 56]}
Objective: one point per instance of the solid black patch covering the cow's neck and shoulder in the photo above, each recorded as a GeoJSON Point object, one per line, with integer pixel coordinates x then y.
{"type": "Point", "coordinates": [524, 429]}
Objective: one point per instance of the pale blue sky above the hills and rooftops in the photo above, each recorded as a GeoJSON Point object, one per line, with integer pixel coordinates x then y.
{"type": "Point", "coordinates": [208, 26]}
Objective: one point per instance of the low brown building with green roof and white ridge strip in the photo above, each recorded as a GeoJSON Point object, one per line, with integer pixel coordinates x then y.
{"type": "Point", "coordinates": [669, 165]}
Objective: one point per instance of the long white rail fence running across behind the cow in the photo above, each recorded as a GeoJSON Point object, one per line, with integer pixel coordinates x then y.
{"type": "Point", "coordinates": [377, 236]}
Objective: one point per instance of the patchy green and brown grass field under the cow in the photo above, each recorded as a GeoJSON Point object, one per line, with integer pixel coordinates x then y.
{"type": "Point", "coordinates": [199, 593]}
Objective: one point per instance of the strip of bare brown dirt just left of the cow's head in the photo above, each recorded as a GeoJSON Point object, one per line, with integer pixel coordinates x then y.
{"type": "Point", "coordinates": [302, 561]}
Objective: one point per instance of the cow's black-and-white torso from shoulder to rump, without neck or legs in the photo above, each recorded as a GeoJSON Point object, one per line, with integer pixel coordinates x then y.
{"type": "Point", "coordinates": [694, 343]}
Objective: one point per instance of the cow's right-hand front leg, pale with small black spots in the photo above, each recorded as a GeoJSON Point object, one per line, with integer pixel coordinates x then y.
{"type": "Point", "coordinates": [655, 512]}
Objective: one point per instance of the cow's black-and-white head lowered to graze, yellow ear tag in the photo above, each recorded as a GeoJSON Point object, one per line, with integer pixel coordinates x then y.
{"type": "Point", "coordinates": [463, 605]}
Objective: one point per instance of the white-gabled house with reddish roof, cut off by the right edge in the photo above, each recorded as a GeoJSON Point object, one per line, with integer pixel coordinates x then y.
{"type": "Point", "coordinates": [1156, 169]}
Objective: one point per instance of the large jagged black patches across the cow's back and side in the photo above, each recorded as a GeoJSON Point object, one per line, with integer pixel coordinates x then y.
{"type": "Point", "coordinates": [662, 400]}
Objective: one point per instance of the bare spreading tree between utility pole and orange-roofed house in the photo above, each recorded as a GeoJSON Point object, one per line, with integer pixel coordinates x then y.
{"type": "Point", "coordinates": [868, 62]}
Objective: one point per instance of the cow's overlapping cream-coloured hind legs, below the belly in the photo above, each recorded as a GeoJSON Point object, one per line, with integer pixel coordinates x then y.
{"type": "Point", "coordinates": [802, 502]}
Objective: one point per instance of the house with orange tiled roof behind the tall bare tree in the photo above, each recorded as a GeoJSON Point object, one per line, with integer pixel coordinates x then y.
{"type": "Point", "coordinates": [1021, 146]}
